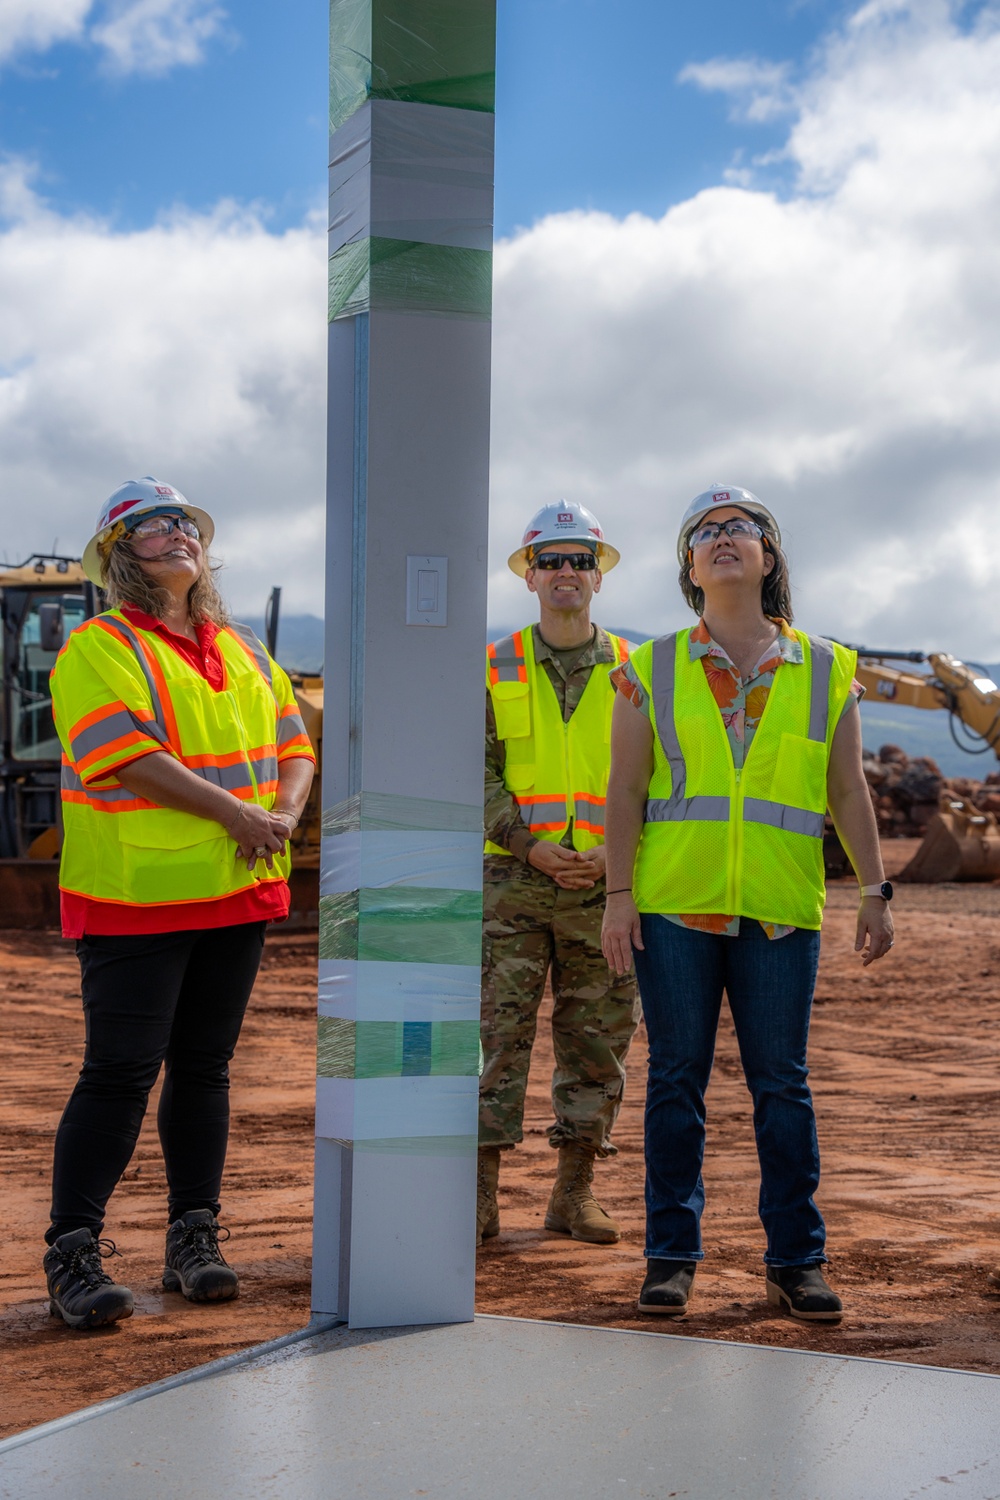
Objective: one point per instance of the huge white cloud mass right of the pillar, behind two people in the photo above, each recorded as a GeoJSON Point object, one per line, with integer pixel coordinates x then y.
{"type": "Point", "coordinates": [837, 352]}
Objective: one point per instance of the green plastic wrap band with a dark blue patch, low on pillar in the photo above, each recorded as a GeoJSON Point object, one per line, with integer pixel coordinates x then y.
{"type": "Point", "coordinates": [397, 1049]}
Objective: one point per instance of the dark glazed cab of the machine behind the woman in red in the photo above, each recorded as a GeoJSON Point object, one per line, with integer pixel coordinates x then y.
{"type": "Point", "coordinates": [41, 602]}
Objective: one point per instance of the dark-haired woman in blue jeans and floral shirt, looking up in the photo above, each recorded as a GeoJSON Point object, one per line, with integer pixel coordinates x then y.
{"type": "Point", "coordinates": [729, 743]}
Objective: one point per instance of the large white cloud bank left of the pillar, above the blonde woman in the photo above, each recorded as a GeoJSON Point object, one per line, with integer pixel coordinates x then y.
{"type": "Point", "coordinates": [193, 350]}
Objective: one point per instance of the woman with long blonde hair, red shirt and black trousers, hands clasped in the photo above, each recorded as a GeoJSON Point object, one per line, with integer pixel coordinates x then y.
{"type": "Point", "coordinates": [185, 772]}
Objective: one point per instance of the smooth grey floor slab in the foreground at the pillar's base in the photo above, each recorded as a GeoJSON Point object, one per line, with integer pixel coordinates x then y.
{"type": "Point", "coordinates": [504, 1409]}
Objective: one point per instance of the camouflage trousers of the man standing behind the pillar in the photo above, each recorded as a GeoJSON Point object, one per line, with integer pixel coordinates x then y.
{"type": "Point", "coordinates": [531, 925]}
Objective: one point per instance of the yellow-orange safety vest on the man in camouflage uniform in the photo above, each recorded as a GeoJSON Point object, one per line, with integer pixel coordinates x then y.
{"type": "Point", "coordinates": [555, 770]}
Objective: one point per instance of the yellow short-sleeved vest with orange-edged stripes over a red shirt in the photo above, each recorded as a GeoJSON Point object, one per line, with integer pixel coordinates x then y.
{"type": "Point", "coordinates": [121, 692]}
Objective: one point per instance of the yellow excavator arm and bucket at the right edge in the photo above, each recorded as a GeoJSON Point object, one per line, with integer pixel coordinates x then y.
{"type": "Point", "coordinates": [962, 842]}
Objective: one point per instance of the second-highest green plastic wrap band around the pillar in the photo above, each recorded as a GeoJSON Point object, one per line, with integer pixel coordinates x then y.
{"type": "Point", "coordinates": [410, 277]}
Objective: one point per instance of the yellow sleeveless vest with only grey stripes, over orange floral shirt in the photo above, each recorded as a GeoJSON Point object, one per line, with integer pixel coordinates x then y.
{"type": "Point", "coordinates": [749, 842]}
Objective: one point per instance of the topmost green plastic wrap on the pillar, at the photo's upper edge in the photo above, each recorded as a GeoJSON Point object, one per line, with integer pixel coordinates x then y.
{"type": "Point", "coordinates": [439, 52]}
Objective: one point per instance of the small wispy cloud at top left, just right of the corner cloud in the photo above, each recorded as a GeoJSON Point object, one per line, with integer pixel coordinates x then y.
{"type": "Point", "coordinates": [152, 37]}
